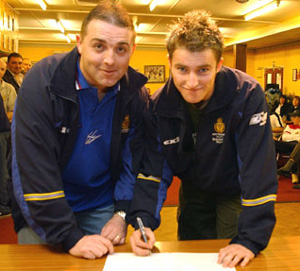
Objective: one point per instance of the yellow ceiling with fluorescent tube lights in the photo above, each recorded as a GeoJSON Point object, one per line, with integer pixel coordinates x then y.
{"type": "Point", "coordinates": [277, 27]}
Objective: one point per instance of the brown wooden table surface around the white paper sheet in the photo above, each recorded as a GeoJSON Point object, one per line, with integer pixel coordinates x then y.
{"type": "Point", "coordinates": [282, 254]}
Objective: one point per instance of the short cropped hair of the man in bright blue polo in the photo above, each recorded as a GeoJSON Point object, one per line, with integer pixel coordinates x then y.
{"type": "Point", "coordinates": [111, 12]}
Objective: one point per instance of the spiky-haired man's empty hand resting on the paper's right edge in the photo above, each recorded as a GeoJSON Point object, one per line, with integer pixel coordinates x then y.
{"type": "Point", "coordinates": [231, 255]}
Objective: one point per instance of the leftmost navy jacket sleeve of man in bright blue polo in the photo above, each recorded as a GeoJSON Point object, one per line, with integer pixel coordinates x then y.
{"type": "Point", "coordinates": [37, 180]}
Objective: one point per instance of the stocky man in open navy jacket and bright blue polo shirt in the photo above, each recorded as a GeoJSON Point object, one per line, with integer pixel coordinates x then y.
{"type": "Point", "coordinates": [75, 135]}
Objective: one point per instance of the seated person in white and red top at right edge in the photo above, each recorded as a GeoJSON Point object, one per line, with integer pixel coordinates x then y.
{"type": "Point", "coordinates": [290, 139]}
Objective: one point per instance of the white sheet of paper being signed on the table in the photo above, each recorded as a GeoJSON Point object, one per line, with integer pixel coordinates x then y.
{"type": "Point", "coordinates": [164, 262]}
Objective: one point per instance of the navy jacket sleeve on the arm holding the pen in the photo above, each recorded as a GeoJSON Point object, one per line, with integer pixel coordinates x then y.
{"type": "Point", "coordinates": [153, 180]}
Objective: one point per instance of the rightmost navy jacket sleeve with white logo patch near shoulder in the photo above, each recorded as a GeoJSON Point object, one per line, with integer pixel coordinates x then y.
{"type": "Point", "coordinates": [258, 179]}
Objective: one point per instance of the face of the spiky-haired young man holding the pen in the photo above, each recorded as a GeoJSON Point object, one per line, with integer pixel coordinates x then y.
{"type": "Point", "coordinates": [194, 73]}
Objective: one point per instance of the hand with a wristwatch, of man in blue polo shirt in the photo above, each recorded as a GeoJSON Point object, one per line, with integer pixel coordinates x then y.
{"type": "Point", "coordinates": [115, 230]}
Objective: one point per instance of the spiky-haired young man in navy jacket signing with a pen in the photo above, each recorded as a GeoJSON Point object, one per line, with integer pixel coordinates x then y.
{"type": "Point", "coordinates": [209, 125]}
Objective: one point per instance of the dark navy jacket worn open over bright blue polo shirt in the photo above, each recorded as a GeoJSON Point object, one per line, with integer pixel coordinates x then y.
{"type": "Point", "coordinates": [44, 130]}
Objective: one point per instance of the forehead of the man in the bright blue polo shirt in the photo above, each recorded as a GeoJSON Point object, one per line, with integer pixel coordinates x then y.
{"type": "Point", "coordinates": [99, 29]}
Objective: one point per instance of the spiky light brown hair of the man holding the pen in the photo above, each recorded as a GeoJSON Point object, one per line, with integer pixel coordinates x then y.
{"type": "Point", "coordinates": [196, 31]}
